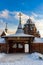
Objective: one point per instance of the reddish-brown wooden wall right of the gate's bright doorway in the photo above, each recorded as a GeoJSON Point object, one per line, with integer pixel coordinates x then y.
{"type": "Point", "coordinates": [36, 47]}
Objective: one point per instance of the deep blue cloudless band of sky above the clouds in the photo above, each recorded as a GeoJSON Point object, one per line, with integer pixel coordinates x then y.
{"type": "Point", "coordinates": [22, 5]}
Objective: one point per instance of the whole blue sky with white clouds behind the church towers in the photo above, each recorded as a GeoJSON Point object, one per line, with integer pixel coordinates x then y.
{"type": "Point", "coordinates": [10, 8]}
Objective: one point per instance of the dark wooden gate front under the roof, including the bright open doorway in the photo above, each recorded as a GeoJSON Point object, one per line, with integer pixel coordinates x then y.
{"type": "Point", "coordinates": [18, 46]}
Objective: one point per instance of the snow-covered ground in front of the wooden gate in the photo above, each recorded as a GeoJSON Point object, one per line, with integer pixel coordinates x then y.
{"type": "Point", "coordinates": [21, 59]}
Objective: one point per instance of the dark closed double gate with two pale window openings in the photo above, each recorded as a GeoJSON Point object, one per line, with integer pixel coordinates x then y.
{"type": "Point", "coordinates": [16, 48]}
